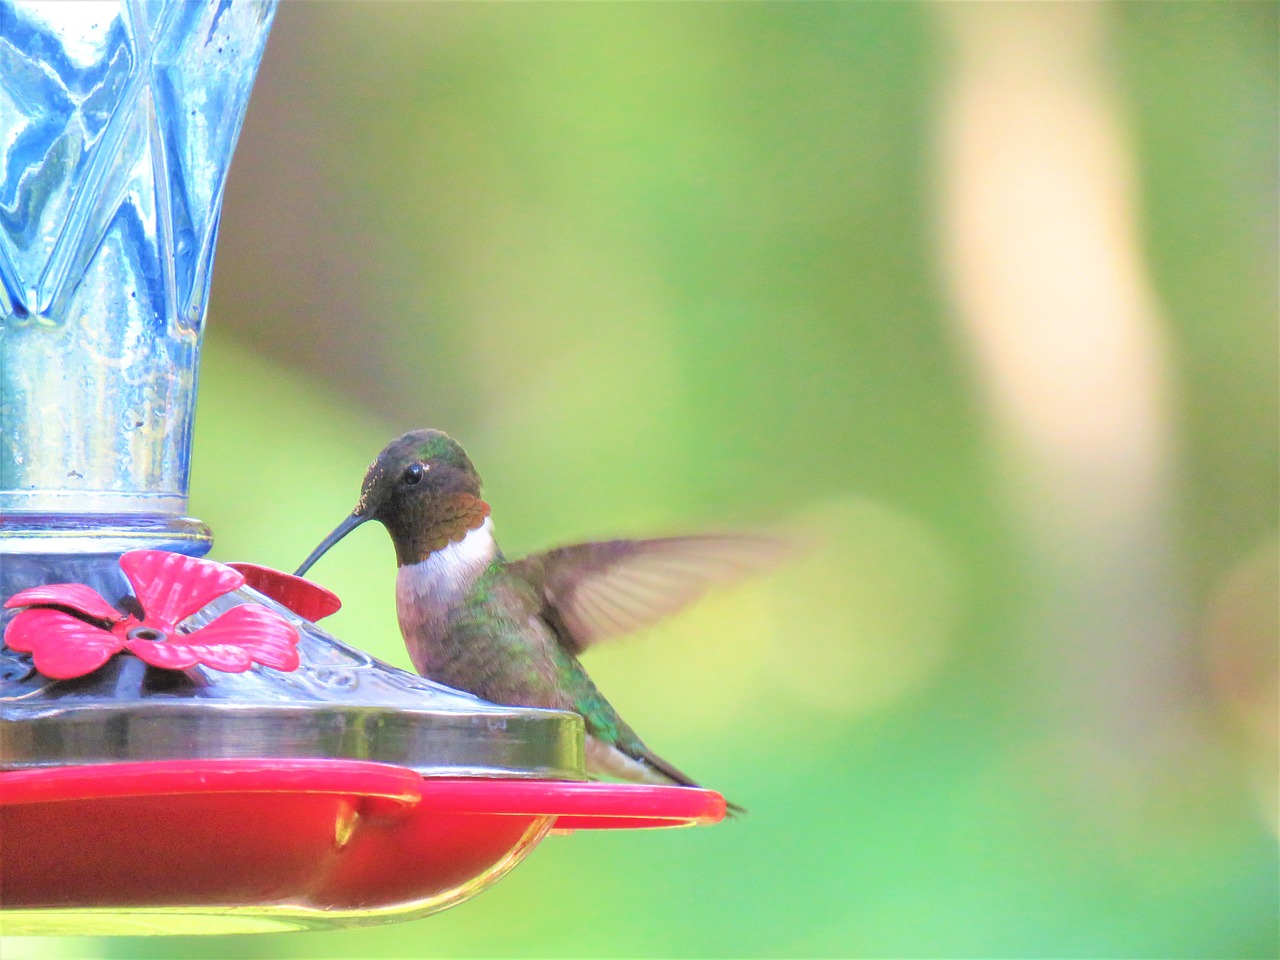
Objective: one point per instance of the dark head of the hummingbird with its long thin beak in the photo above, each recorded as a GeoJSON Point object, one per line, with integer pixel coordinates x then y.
{"type": "Point", "coordinates": [424, 490]}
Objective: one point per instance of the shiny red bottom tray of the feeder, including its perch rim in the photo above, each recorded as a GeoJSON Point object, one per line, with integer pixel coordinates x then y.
{"type": "Point", "coordinates": [240, 845]}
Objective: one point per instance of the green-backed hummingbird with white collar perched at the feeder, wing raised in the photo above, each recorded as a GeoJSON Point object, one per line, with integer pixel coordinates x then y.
{"type": "Point", "coordinates": [513, 632]}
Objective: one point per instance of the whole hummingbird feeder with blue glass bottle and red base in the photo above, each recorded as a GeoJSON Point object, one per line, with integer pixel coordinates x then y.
{"type": "Point", "coordinates": [182, 749]}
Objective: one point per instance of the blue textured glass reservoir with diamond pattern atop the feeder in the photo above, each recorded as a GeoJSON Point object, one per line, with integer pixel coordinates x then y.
{"type": "Point", "coordinates": [117, 129]}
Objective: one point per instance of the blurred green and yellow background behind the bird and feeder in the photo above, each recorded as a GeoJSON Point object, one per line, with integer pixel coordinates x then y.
{"type": "Point", "coordinates": [985, 292]}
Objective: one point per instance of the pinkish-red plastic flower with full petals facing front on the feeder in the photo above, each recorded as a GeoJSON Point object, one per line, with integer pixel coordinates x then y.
{"type": "Point", "coordinates": [71, 630]}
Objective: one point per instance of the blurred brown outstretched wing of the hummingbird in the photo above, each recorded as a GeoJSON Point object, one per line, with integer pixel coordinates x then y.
{"type": "Point", "coordinates": [596, 591]}
